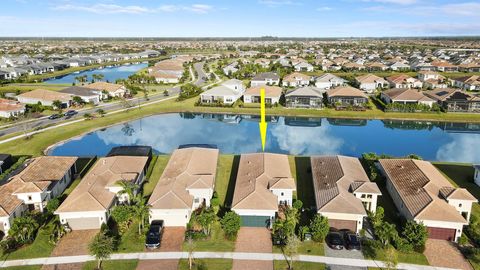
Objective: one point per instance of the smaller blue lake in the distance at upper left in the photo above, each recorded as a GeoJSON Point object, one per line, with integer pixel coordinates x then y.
{"type": "Point", "coordinates": [111, 73]}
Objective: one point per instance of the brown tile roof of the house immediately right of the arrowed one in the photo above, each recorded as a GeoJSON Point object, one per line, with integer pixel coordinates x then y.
{"type": "Point", "coordinates": [333, 179]}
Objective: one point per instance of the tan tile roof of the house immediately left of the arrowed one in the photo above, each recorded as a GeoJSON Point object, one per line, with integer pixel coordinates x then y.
{"type": "Point", "coordinates": [188, 168]}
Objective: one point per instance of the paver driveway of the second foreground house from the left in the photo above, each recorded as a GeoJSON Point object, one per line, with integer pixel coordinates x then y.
{"type": "Point", "coordinates": [72, 244]}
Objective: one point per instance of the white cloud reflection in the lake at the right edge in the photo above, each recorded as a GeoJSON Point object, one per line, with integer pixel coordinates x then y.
{"type": "Point", "coordinates": [463, 148]}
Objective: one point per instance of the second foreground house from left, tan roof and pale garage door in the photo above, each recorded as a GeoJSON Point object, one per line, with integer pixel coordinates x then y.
{"type": "Point", "coordinates": [91, 202]}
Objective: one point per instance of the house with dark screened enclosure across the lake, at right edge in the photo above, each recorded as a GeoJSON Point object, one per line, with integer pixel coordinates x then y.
{"type": "Point", "coordinates": [455, 100]}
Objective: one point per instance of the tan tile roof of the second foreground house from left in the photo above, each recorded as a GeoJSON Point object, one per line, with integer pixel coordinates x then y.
{"type": "Point", "coordinates": [92, 194]}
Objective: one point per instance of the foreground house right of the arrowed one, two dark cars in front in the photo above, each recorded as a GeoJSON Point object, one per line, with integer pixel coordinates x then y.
{"type": "Point", "coordinates": [343, 191]}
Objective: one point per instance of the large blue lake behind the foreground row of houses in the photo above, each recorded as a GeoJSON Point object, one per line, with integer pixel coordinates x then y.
{"type": "Point", "coordinates": [235, 134]}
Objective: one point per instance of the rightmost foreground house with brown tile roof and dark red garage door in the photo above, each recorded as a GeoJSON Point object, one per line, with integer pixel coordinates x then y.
{"type": "Point", "coordinates": [422, 194]}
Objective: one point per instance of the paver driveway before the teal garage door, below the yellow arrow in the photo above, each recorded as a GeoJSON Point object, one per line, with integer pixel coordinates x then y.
{"type": "Point", "coordinates": [253, 240]}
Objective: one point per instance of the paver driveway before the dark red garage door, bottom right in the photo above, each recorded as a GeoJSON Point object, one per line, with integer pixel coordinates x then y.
{"type": "Point", "coordinates": [443, 253]}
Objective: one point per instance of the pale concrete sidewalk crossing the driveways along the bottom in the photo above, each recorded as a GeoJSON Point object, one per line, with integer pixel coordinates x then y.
{"type": "Point", "coordinates": [215, 255]}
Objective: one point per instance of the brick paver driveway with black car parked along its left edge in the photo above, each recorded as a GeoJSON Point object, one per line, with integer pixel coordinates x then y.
{"type": "Point", "coordinates": [172, 240]}
